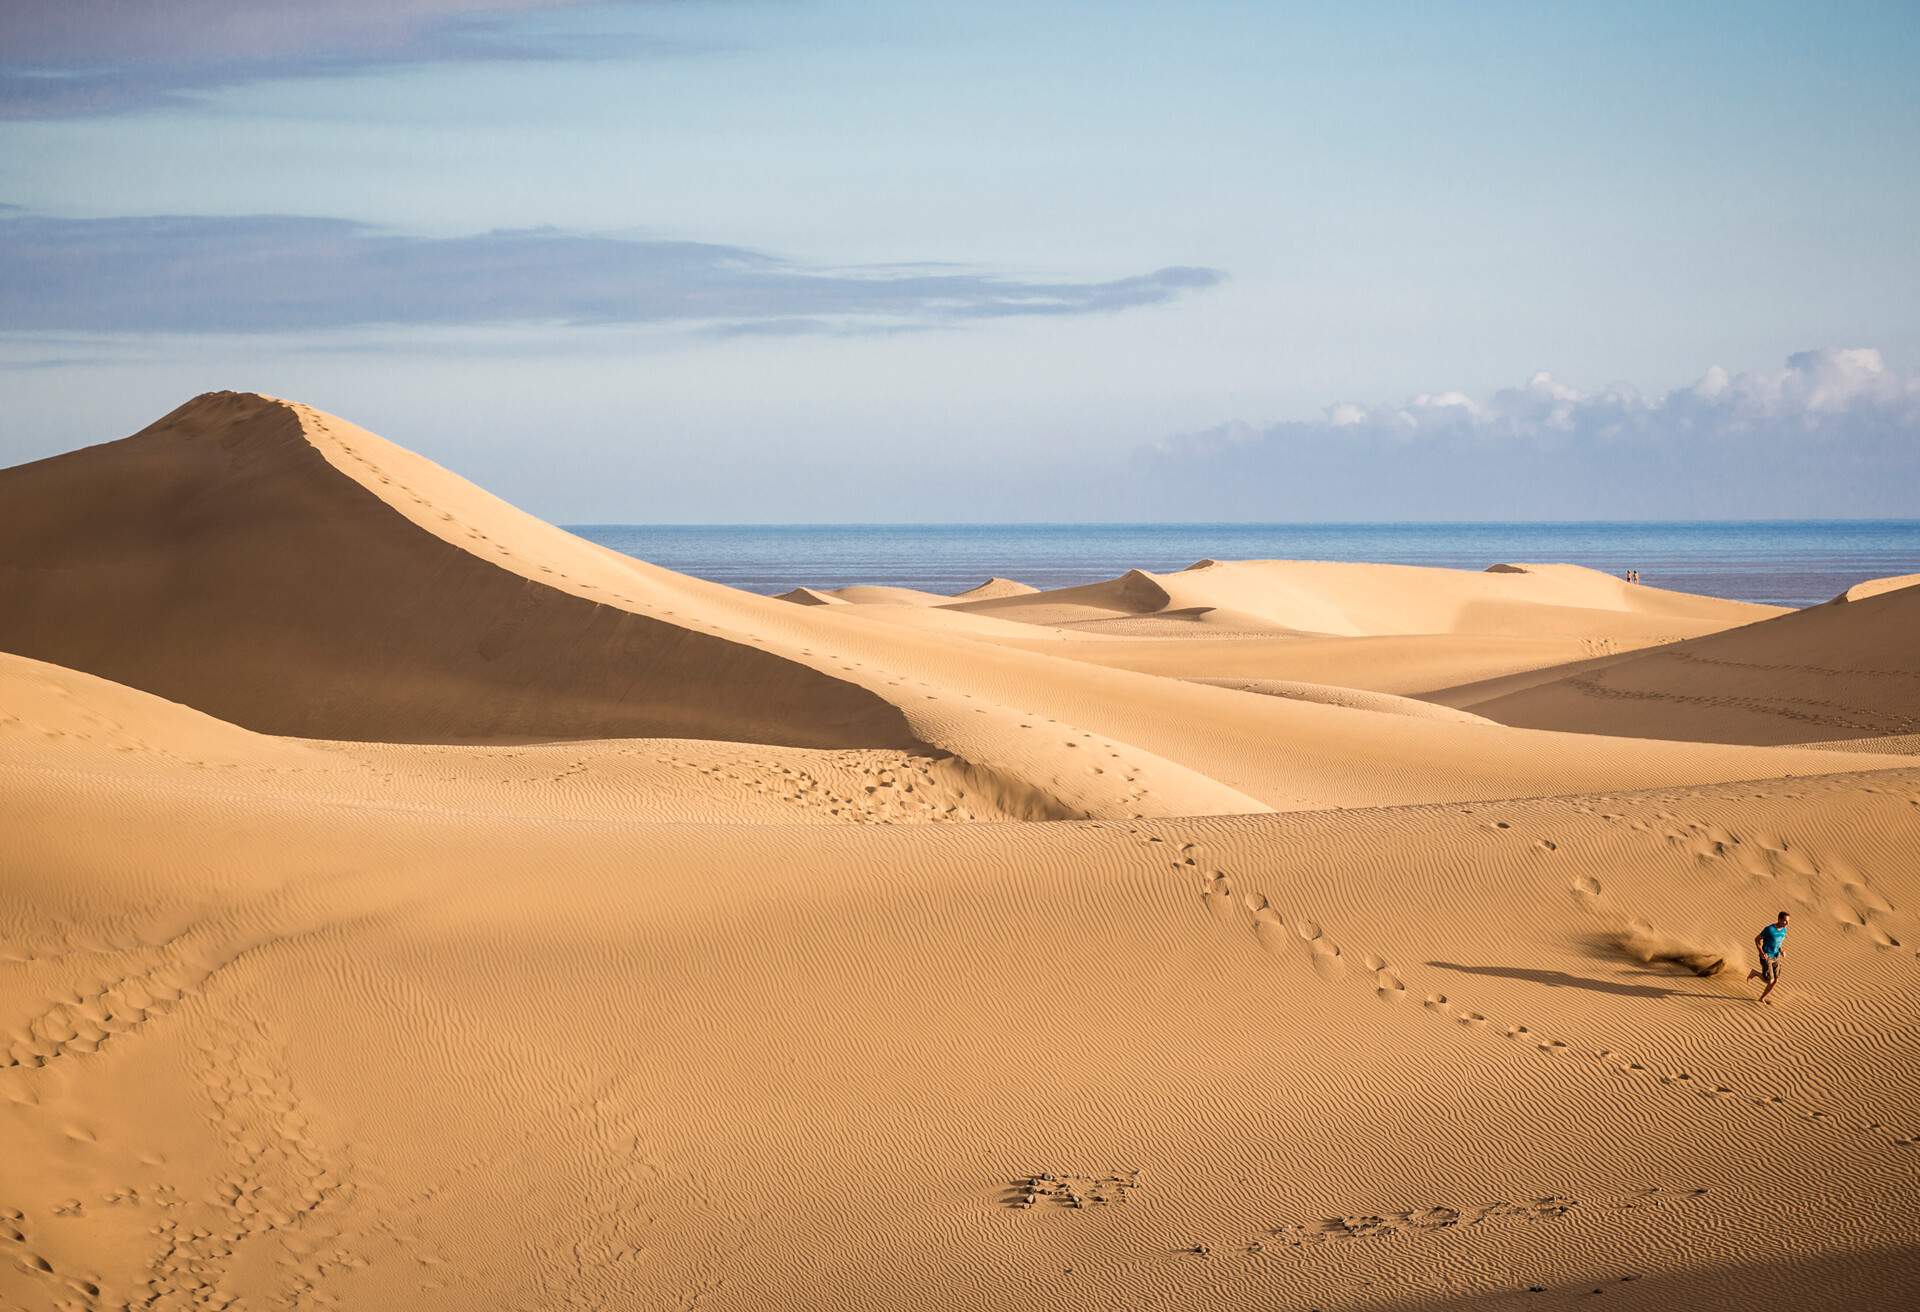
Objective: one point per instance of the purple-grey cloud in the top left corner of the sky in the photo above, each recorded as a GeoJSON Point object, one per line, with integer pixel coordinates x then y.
{"type": "Point", "coordinates": [76, 59]}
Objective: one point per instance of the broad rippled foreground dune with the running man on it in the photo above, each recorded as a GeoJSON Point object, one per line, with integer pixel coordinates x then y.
{"type": "Point", "coordinates": [387, 1054]}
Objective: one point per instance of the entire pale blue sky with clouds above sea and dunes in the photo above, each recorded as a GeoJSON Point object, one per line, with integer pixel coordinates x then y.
{"type": "Point", "coordinates": [811, 260]}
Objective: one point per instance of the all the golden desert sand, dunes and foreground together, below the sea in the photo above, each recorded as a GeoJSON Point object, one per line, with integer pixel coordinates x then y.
{"type": "Point", "coordinates": [408, 906]}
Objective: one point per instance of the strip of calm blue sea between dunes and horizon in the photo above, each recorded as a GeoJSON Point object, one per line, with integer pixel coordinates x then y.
{"type": "Point", "coordinates": [1781, 562]}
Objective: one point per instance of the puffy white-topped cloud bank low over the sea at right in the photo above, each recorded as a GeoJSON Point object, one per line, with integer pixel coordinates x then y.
{"type": "Point", "coordinates": [1833, 431]}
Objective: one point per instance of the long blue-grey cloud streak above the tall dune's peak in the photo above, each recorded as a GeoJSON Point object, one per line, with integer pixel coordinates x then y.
{"type": "Point", "coordinates": [283, 274]}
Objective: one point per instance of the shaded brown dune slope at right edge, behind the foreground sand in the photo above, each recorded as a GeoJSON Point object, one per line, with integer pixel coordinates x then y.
{"type": "Point", "coordinates": [1840, 671]}
